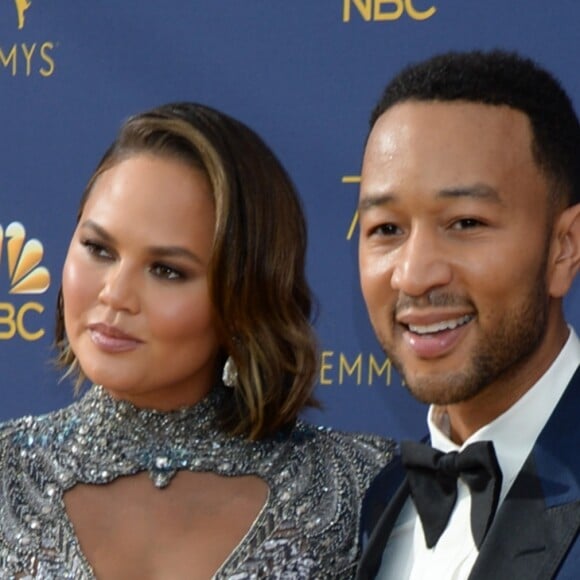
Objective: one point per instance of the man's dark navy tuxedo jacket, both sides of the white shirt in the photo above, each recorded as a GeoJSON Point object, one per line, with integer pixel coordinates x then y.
{"type": "Point", "coordinates": [534, 535]}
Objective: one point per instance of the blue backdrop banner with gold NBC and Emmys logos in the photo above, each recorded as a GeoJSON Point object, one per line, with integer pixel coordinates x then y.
{"type": "Point", "coordinates": [304, 73]}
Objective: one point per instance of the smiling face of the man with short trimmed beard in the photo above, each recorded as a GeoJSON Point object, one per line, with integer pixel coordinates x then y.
{"type": "Point", "coordinates": [454, 244]}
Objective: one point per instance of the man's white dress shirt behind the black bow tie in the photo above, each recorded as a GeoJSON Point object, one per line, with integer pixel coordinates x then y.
{"type": "Point", "coordinates": [513, 434]}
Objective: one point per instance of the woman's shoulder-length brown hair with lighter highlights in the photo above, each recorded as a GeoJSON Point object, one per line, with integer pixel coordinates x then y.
{"type": "Point", "coordinates": [261, 300]}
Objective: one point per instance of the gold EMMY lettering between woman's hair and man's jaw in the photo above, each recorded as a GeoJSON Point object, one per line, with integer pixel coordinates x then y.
{"type": "Point", "coordinates": [342, 368]}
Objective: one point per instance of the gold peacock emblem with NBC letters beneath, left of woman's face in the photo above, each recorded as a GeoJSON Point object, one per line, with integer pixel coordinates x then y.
{"type": "Point", "coordinates": [26, 276]}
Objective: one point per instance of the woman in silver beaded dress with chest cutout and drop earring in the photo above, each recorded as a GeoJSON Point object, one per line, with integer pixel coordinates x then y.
{"type": "Point", "coordinates": [188, 258]}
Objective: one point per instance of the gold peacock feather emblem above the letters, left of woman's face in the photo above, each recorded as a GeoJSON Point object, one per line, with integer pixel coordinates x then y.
{"type": "Point", "coordinates": [23, 258]}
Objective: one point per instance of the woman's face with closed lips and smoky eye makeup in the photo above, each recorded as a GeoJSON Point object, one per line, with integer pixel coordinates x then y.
{"type": "Point", "coordinates": [136, 301]}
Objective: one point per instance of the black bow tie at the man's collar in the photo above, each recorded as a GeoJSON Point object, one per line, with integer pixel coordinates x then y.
{"type": "Point", "coordinates": [433, 480]}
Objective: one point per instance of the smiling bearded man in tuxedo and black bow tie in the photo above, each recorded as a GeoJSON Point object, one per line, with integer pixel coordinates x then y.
{"type": "Point", "coordinates": [469, 240]}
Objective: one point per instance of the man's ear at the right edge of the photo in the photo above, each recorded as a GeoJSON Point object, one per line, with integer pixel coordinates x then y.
{"type": "Point", "coordinates": [564, 252]}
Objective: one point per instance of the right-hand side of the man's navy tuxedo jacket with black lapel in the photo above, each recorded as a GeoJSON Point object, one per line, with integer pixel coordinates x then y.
{"type": "Point", "coordinates": [539, 520]}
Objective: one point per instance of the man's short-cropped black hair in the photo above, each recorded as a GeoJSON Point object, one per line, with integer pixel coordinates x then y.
{"type": "Point", "coordinates": [502, 78]}
